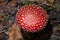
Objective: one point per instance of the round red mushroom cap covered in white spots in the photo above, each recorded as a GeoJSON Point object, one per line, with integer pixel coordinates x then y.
{"type": "Point", "coordinates": [31, 18]}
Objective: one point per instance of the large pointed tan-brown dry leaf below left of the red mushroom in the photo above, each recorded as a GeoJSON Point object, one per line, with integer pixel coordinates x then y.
{"type": "Point", "coordinates": [14, 33]}
